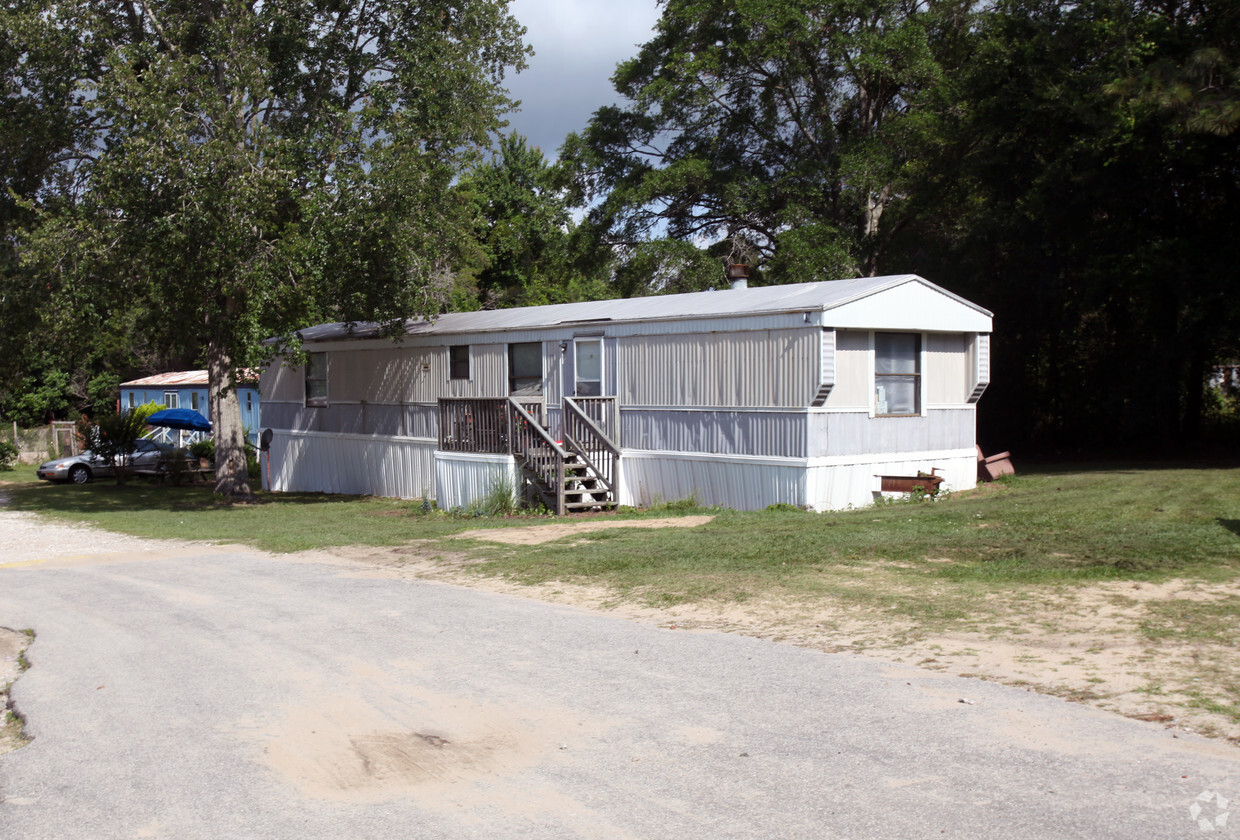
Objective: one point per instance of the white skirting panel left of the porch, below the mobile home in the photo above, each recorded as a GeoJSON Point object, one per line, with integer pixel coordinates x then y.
{"type": "Point", "coordinates": [308, 462]}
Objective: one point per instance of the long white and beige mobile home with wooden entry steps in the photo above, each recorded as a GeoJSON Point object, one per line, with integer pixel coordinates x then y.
{"type": "Point", "coordinates": [804, 395]}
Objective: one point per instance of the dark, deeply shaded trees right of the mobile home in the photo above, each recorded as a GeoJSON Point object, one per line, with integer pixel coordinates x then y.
{"type": "Point", "coordinates": [1100, 224]}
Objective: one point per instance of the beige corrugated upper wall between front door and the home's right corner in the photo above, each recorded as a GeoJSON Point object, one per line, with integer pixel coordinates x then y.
{"type": "Point", "coordinates": [752, 369]}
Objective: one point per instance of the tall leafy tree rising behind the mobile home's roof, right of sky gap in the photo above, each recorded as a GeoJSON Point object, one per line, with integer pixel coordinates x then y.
{"type": "Point", "coordinates": [773, 123]}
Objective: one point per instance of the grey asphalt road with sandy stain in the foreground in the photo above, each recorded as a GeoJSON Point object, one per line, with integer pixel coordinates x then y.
{"type": "Point", "coordinates": [220, 694]}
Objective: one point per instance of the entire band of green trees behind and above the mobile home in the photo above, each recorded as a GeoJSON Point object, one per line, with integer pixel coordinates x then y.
{"type": "Point", "coordinates": [187, 179]}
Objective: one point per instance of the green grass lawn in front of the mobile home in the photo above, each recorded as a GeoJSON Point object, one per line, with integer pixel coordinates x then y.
{"type": "Point", "coordinates": [1055, 527]}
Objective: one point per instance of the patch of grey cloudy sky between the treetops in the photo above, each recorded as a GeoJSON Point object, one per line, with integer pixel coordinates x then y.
{"type": "Point", "coordinates": [577, 48]}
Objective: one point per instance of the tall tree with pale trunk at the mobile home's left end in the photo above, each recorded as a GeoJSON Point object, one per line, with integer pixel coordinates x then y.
{"type": "Point", "coordinates": [244, 168]}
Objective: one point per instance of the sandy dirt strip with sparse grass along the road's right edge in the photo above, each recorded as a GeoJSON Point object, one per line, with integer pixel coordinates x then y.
{"type": "Point", "coordinates": [1087, 645]}
